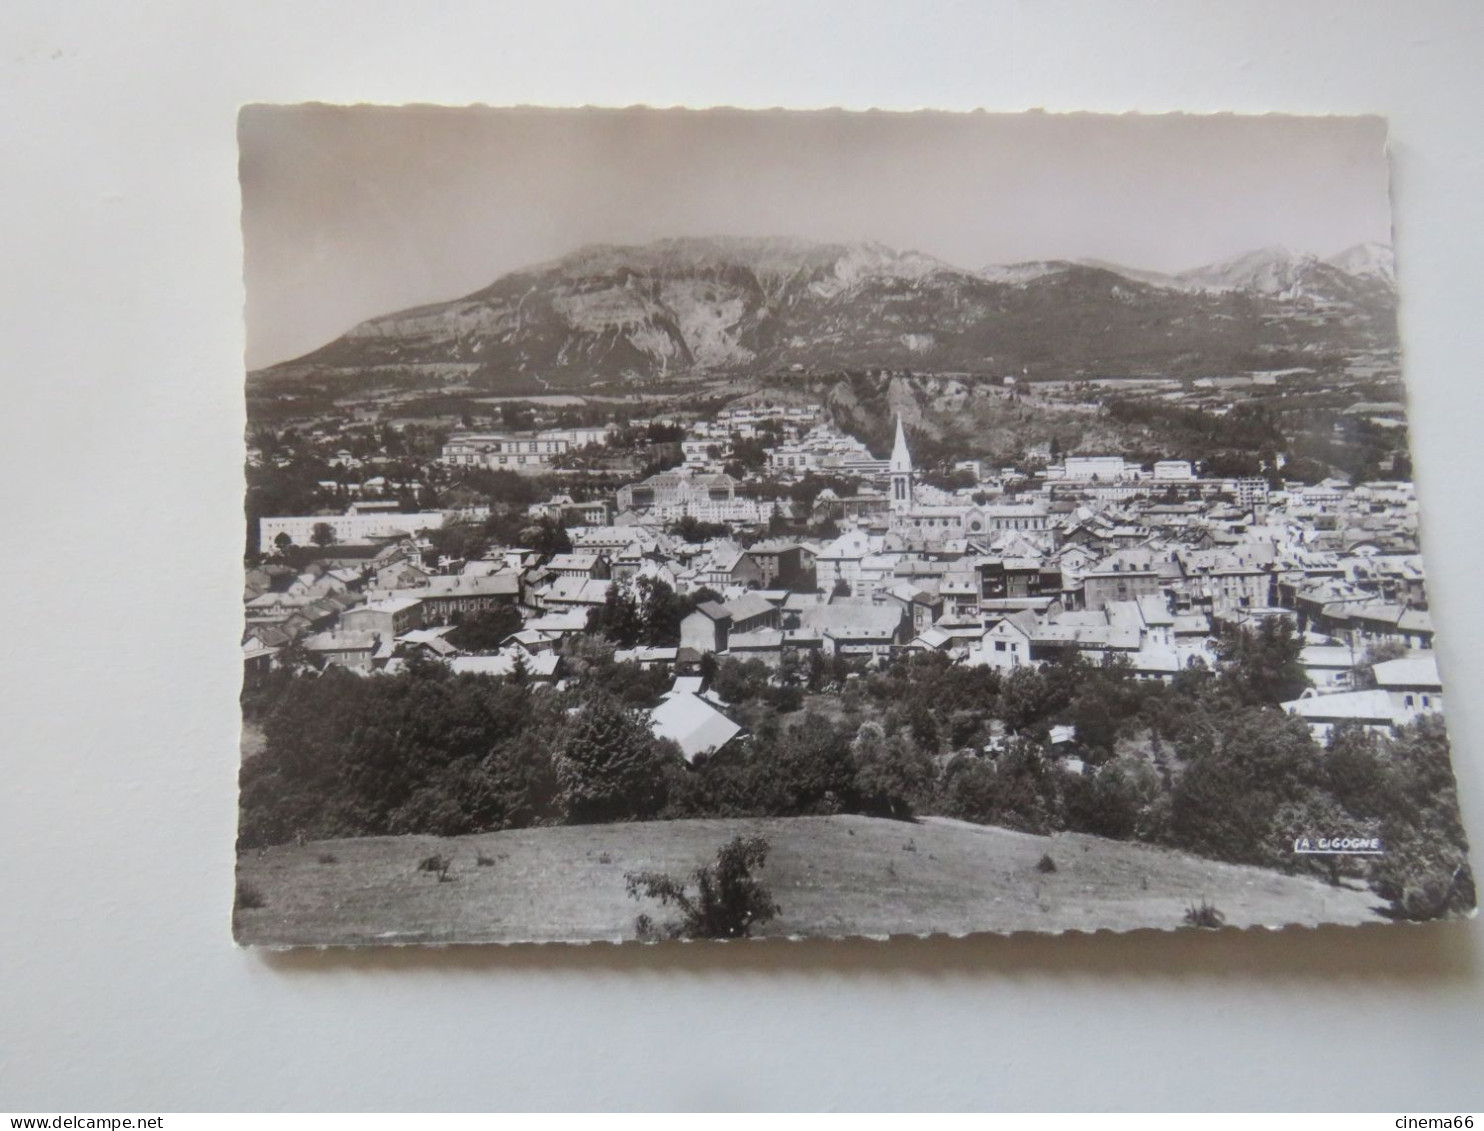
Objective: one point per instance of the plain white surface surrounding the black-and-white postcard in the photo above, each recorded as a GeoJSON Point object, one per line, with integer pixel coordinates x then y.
{"type": "Point", "coordinates": [121, 353]}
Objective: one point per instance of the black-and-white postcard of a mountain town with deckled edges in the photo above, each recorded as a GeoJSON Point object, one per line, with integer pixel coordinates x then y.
{"type": "Point", "coordinates": [720, 525]}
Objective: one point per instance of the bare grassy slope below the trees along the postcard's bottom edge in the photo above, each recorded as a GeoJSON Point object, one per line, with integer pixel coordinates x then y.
{"type": "Point", "coordinates": [832, 876]}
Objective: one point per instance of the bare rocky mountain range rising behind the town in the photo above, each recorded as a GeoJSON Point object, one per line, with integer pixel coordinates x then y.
{"type": "Point", "coordinates": [703, 306]}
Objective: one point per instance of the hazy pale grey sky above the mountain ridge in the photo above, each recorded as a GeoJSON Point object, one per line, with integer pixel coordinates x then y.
{"type": "Point", "coordinates": [354, 213]}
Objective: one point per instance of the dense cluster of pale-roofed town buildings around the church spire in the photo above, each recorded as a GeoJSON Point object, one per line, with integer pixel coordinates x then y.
{"type": "Point", "coordinates": [999, 581]}
